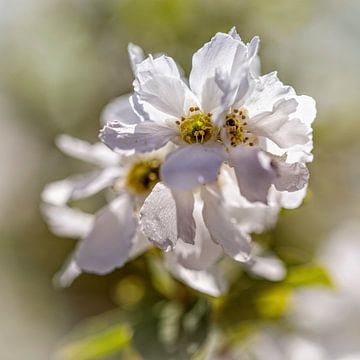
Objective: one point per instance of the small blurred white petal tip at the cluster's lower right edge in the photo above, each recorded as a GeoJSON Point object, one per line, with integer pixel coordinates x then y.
{"type": "Point", "coordinates": [267, 267]}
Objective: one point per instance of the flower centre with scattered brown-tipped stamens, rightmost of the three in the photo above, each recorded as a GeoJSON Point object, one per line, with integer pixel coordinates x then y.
{"type": "Point", "coordinates": [236, 128]}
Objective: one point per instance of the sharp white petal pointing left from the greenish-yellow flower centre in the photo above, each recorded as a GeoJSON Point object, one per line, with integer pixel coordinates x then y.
{"type": "Point", "coordinates": [143, 137]}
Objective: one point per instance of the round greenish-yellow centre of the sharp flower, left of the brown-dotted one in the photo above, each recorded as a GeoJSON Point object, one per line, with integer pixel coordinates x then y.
{"type": "Point", "coordinates": [197, 128]}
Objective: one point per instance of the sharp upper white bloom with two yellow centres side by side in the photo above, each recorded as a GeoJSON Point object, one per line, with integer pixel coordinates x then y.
{"type": "Point", "coordinates": [227, 113]}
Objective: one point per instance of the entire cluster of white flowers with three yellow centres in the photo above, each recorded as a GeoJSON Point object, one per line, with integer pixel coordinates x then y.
{"type": "Point", "coordinates": [192, 167]}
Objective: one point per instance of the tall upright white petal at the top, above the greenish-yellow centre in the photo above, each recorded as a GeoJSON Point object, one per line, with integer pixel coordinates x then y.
{"type": "Point", "coordinates": [220, 53]}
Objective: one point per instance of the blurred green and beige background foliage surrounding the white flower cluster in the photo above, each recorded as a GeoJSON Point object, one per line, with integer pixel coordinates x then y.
{"type": "Point", "coordinates": [60, 63]}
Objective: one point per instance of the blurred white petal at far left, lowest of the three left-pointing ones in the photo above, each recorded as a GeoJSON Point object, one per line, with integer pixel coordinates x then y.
{"type": "Point", "coordinates": [68, 222]}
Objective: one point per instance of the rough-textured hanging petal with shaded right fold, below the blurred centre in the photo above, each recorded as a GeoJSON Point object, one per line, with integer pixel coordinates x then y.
{"type": "Point", "coordinates": [168, 216]}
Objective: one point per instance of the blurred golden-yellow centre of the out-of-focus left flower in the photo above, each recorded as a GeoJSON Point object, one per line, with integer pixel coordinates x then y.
{"type": "Point", "coordinates": [143, 176]}
